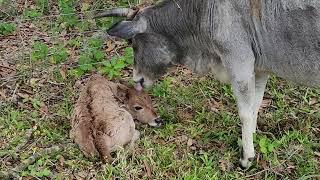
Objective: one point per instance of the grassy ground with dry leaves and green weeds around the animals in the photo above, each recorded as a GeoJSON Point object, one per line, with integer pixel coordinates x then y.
{"type": "Point", "coordinates": [47, 47]}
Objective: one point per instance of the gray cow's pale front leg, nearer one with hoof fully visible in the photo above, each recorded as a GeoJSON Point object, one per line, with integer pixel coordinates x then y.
{"type": "Point", "coordinates": [243, 84]}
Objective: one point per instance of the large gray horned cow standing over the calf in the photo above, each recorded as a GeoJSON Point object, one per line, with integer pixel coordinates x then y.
{"type": "Point", "coordinates": [239, 41]}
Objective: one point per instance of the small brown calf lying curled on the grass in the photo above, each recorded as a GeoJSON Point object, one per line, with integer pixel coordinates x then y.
{"type": "Point", "coordinates": [103, 116]}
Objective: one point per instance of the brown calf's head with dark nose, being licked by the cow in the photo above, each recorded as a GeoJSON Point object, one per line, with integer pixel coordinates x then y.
{"type": "Point", "coordinates": [139, 105]}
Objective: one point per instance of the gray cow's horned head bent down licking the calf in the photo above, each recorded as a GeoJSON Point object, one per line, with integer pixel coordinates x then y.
{"type": "Point", "coordinates": [153, 52]}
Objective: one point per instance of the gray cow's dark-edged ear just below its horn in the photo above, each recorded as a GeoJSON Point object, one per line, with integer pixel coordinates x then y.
{"type": "Point", "coordinates": [127, 29]}
